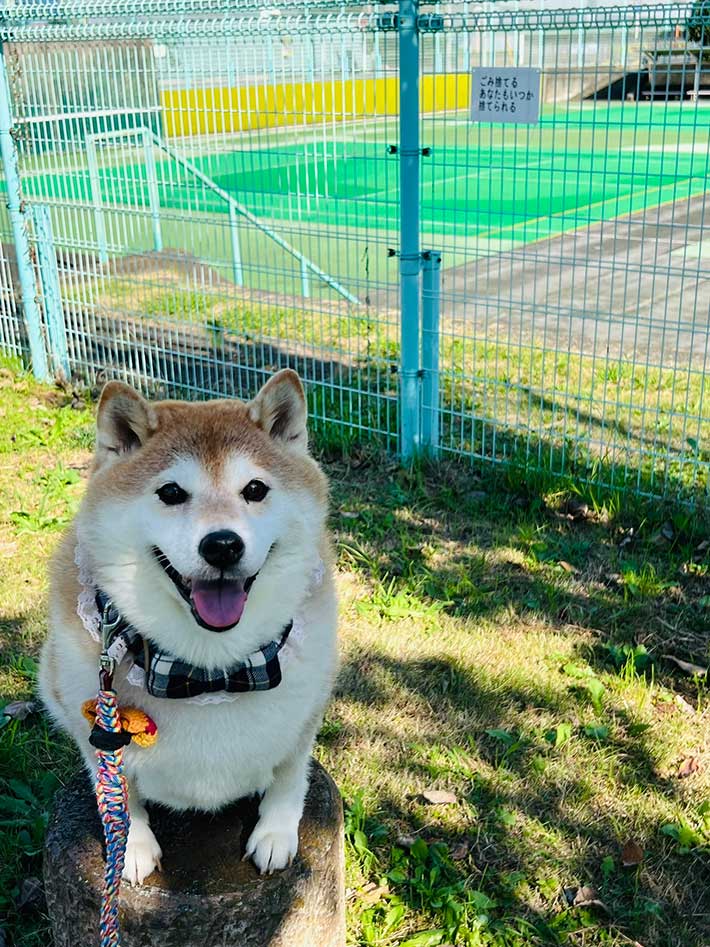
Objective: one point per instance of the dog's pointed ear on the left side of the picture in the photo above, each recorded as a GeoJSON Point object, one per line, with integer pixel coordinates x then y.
{"type": "Point", "coordinates": [124, 422]}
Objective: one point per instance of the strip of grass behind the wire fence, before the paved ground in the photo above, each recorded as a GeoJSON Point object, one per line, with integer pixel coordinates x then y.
{"type": "Point", "coordinates": [598, 428]}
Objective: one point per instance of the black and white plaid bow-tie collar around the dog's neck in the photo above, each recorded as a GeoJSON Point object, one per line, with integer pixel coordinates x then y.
{"type": "Point", "coordinates": [168, 676]}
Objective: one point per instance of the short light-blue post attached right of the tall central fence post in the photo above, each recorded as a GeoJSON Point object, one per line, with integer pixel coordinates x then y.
{"type": "Point", "coordinates": [431, 295]}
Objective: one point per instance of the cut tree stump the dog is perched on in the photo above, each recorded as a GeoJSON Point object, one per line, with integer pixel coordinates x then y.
{"type": "Point", "coordinates": [205, 896]}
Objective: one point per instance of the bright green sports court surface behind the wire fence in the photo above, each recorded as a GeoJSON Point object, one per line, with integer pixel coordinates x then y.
{"type": "Point", "coordinates": [504, 184]}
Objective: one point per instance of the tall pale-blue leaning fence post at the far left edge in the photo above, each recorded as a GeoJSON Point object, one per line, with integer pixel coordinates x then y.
{"type": "Point", "coordinates": [19, 221]}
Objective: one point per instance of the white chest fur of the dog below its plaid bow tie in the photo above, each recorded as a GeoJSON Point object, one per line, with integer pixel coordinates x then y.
{"type": "Point", "coordinates": [208, 755]}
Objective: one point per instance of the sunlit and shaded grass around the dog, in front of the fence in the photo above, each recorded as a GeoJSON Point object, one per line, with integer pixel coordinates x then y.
{"type": "Point", "coordinates": [495, 645]}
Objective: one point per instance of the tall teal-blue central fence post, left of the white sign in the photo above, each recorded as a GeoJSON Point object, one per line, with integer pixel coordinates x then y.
{"type": "Point", "coordinates": [409, 258]}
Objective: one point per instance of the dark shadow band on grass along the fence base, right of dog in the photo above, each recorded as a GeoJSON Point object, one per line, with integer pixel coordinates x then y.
{"type": "Point", "coordinates": [468, 546]}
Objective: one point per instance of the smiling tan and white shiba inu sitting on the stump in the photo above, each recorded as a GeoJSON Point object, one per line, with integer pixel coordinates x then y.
{"type": "Point", "coordinates": [201, 545]}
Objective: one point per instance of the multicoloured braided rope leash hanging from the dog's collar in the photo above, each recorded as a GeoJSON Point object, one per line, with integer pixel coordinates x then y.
{"type": "Point", "coordinates": [111, 797]}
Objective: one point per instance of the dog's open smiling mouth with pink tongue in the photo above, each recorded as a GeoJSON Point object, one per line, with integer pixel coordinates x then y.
{"type": "Point", "coordinates": [216, 604]}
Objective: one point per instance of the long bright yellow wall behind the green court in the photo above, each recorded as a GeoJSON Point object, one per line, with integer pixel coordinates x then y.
{"type": "Point", "coordinates": [230, 109]}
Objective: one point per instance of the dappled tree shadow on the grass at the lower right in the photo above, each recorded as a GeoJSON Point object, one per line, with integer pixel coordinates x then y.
{"type": "Point", "coordinates": [522, 824]}
